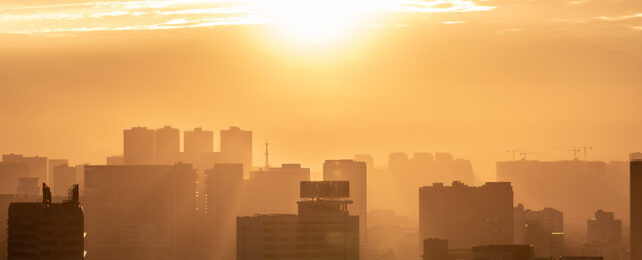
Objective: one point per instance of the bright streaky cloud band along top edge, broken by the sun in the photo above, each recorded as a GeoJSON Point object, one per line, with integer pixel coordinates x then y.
{"type": "Point", "coordinates": [171, 14]}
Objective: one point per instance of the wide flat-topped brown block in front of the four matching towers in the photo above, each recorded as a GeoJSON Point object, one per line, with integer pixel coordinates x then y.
{"type": "Point", "coordinates": [140, 211]}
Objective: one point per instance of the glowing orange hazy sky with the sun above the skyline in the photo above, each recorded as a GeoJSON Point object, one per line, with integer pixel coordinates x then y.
{"type": "Point", "coordinates": [326, 79]}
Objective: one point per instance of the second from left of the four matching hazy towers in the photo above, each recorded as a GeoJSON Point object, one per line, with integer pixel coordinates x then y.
{"type": "Point", "coordinates": [167, 145]}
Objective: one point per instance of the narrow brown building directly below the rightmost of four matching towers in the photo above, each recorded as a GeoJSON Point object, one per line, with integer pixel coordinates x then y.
{"type": "Point", "coordinates": [224, 200]}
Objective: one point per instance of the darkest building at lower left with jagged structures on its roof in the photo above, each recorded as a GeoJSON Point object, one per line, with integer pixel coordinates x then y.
{"type": "Point", "coordinates": [46, 230]}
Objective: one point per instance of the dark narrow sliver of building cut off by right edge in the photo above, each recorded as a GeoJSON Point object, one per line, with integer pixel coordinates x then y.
{"type": "Point", "coordinates": [636, 206]}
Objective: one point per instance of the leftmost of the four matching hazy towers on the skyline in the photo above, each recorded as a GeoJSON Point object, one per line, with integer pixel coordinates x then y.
{"type": "Point", "coordinates": [138, 146]}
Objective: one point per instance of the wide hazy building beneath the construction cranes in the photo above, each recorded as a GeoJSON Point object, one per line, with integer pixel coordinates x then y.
{"type": "Point", "coordinates": [528, 177]}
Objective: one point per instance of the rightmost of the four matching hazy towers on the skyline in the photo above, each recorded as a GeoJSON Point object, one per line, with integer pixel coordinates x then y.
{"type": "Point", "coordinates": [236, 147]}
